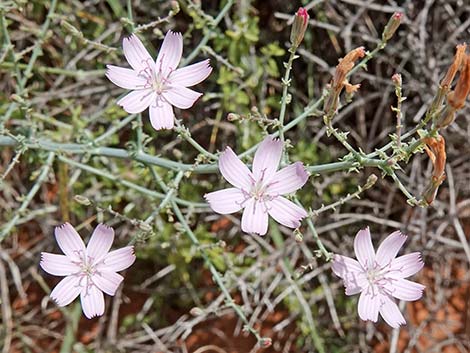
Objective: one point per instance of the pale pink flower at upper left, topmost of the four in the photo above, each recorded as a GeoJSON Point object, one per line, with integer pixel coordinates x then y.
{"type": "Point", "coordinates": [157, 85]}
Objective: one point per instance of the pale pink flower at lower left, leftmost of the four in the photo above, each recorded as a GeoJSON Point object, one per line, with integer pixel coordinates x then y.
{"type": "Point", "coordinates": [88, 271]}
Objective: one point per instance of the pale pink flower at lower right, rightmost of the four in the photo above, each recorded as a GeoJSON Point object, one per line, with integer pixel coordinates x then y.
{"type": "Point", "coordinates": [380, 277]}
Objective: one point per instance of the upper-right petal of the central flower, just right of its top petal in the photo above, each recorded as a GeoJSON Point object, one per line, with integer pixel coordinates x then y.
{"type": "Point", "coordinates": [288, 179]}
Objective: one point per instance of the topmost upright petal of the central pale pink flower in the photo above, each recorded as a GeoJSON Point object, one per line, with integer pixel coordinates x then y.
{"type": "Point", "coordinates": [267, 158]}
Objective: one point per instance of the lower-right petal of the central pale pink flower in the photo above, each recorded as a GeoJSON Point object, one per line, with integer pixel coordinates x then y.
{"type": "Point", "coordinates": [286, 212]}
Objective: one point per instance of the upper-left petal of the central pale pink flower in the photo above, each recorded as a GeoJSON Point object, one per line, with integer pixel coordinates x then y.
{"type": "Point", "coordinates": [234, 171]}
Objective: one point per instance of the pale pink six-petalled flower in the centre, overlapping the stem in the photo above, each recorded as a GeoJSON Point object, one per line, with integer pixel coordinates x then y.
{"type": "Point", "coordinates": [259, 192]}
